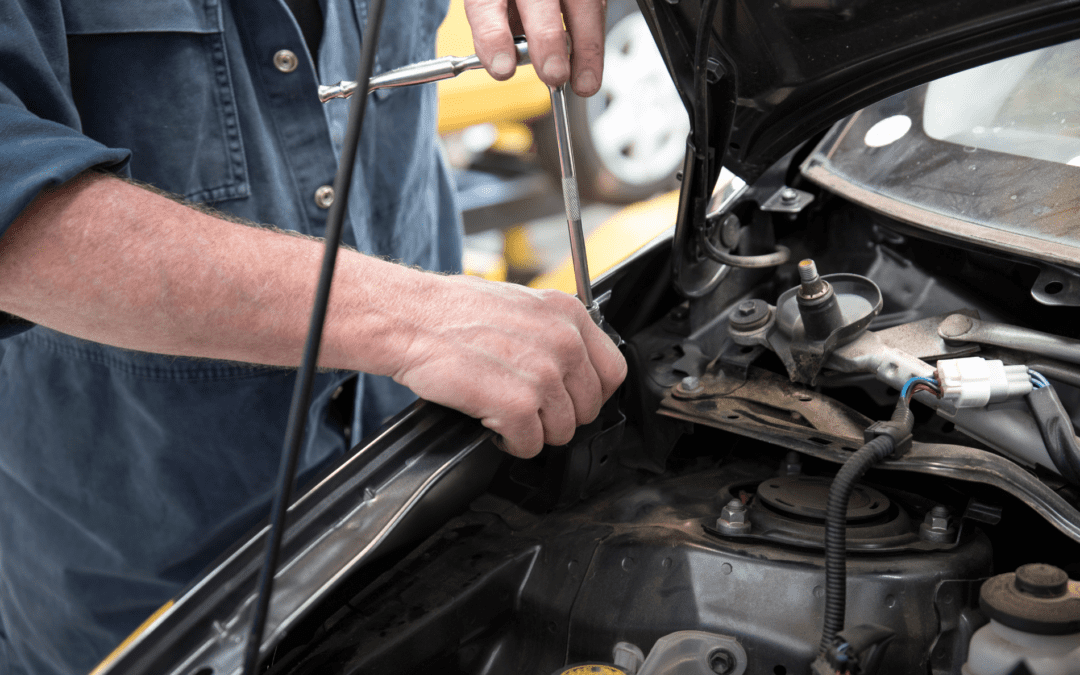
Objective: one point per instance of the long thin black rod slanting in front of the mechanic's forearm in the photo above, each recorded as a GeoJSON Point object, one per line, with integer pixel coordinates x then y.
{"type": "Point", "coordinates": [305, 379]}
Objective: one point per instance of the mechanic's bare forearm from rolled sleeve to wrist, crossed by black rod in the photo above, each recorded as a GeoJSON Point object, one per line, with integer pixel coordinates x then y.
{"type": "Point", "coordinates": [110, 262]}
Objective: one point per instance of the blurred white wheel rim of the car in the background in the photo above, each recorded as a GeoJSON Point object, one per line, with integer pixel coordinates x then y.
{"type": "Point", "coordinates": [637, 121]}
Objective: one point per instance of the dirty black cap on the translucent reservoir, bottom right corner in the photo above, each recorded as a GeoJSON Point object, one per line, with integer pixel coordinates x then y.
{"type": "Point", "coordinates": [1036, 599]}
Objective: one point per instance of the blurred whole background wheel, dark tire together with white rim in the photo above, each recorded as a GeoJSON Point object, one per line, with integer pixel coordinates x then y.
{"type": "Point", "coordinates": [630, 138]}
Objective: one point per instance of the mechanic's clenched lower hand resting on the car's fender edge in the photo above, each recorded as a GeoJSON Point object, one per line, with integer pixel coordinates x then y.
{"type": "Point", "coordinates": [530, 364]}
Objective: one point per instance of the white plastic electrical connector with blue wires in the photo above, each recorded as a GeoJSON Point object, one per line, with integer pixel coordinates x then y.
{"type": "Point", "coordinates": [975, 382]}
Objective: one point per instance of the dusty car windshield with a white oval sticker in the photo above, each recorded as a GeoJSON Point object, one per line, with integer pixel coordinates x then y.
{"type": "Point", "coordinates": [989, 157]}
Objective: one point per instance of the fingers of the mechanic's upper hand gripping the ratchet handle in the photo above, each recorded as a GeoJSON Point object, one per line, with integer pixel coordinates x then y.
{"type": "Point", "coordinates": [494, 26]}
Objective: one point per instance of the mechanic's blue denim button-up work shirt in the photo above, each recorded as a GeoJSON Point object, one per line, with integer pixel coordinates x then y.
{"type": "Point", "coordinates": [124, 475]}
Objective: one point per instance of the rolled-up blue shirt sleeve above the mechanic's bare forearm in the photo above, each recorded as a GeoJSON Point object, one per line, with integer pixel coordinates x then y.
{"type": "Point", "coordinates": [42, 143]}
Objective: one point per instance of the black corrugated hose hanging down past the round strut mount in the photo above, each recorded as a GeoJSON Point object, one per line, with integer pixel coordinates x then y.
{"type": "Point", "coordinates": [836, 517]}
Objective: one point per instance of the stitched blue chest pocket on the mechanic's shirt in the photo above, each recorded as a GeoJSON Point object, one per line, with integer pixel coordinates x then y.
{"type": "Point", "coordinates": [153, 77]}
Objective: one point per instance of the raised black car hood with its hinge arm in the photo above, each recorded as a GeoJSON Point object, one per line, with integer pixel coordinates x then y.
{"type": "Point", "coordinates": [759, 79]}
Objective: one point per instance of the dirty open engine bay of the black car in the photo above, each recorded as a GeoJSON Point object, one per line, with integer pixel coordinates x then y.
{"type": "Point", "coordinates": [684, 532]}
